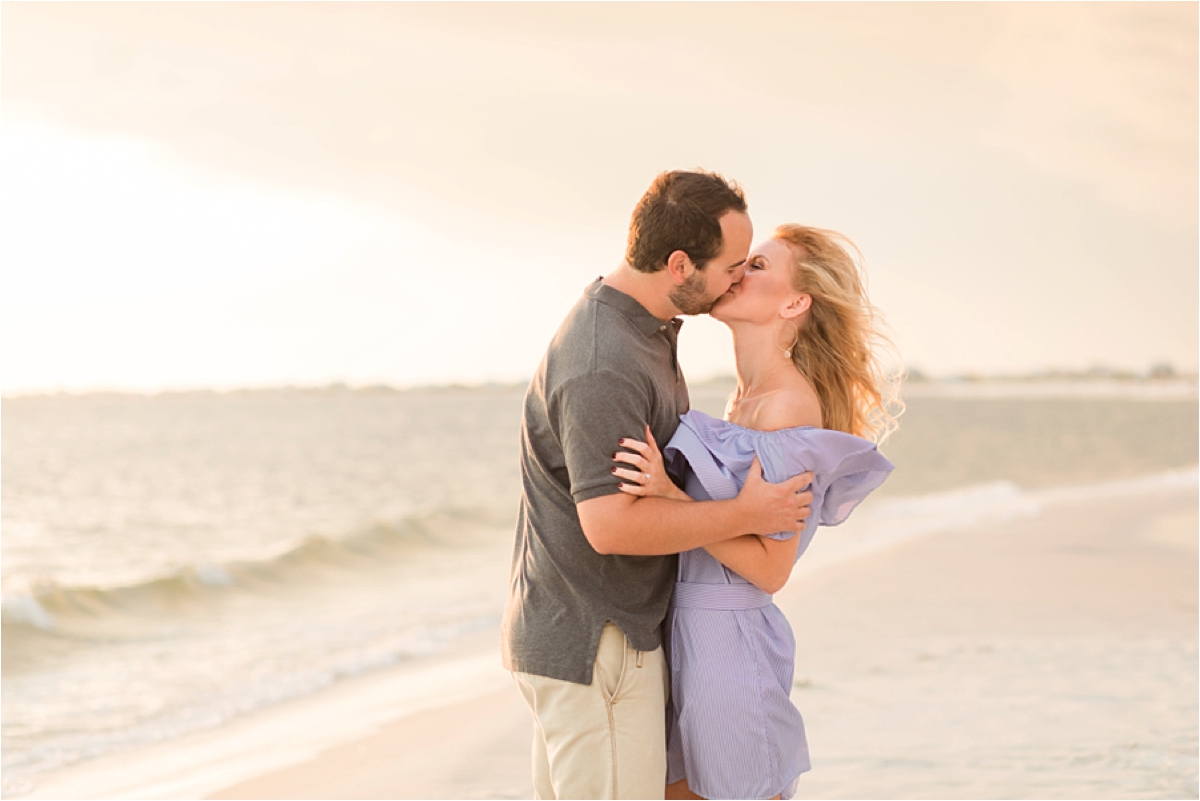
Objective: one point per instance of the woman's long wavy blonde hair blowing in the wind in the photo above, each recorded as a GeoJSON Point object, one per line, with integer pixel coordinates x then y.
{"type": "Point", "coordinates": [841, 348]}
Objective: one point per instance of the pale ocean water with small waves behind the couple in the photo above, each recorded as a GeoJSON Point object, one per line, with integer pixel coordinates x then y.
{"type": "Point", "coordinates": [176, 562]}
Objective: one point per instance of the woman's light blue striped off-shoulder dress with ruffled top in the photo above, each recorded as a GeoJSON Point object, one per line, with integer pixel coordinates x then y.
{"type": "Point", "coordinates": [733, 730]}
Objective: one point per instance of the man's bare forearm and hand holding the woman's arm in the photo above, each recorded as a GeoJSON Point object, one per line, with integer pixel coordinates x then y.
{"type": "Point", "coordinates": [652, 527]}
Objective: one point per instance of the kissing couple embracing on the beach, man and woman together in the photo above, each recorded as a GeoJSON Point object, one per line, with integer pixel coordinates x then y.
{"type": "Point", "coordinates": [640, 625]}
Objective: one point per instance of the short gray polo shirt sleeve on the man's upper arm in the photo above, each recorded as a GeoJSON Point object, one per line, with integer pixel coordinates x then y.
{"type": "Point", "coordinates": [595, 412]}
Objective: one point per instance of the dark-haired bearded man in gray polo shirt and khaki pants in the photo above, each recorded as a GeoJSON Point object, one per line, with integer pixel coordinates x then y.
{"type": "Point", "coordinates": [593, 568]}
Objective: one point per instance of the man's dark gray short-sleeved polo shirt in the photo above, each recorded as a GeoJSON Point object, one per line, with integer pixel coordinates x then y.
{"type": "Point", "coordinates": [610, 370]}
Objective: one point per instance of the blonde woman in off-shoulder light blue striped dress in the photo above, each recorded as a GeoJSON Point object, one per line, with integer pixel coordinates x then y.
{"type": "Point", "coordinates": [809, 389]}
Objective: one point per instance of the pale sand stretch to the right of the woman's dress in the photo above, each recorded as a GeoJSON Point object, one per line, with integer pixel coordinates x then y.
{"type": "Point", "coordinates": [1051, 658]}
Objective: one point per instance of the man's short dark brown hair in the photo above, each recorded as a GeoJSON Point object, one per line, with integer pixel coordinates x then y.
{"type": "Point", "coordinates": [681, 212]}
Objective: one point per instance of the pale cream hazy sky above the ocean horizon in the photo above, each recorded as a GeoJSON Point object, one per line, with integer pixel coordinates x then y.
{"type": "Point", "coordinates": [254, 195]}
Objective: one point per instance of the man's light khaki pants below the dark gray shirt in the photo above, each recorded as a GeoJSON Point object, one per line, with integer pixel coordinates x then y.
{"type": "Point", "coordinates": [604, 740]}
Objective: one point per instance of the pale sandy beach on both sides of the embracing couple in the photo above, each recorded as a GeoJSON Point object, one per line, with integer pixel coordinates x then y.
{"type": "Point", "coordinates": [1053, 657]}
